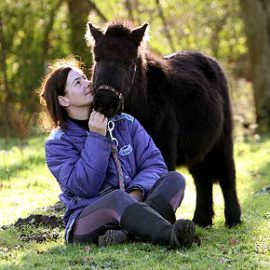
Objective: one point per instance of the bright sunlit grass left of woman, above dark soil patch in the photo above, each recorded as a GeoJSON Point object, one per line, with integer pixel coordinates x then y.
{"type": "Point", "coordinates": [25, 182]}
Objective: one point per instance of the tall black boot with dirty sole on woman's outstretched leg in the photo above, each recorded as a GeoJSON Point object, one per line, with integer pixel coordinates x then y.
{"type": "Point", "coordinates": [144, 222]}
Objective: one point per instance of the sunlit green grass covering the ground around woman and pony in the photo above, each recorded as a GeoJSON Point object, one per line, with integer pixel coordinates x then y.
{"type": "Point", "coordinates": [26, 186]}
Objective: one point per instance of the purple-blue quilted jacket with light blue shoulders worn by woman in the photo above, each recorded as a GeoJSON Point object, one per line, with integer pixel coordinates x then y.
{"type": "Point", "coordinates": [83, 165]}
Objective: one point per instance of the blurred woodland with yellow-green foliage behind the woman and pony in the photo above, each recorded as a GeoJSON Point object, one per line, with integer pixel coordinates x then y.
{"type": "Point", "coordinates": [34, 33]}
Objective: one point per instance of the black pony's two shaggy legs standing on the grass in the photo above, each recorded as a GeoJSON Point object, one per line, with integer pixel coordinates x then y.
{"type": "Point", "coordinates": [218, 166]}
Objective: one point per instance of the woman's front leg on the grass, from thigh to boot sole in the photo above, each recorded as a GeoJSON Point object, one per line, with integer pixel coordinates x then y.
{"type": "Point", "coordinates": [139, 219]}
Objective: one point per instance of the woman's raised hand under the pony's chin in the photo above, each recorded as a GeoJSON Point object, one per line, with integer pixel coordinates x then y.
{"type": "Point", "coordinates": [98, 123]}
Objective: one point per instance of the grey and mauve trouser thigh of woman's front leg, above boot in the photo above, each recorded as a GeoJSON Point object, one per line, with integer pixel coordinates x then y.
{"type": "Point", "coordinates": [95, 218]}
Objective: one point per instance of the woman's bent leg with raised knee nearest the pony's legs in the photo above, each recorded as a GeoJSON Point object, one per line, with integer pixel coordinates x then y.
{"type": "Point", "coordinates": [167, 194]}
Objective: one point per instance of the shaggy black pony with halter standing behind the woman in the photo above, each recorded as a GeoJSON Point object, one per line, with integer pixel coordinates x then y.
{"type": "Point", "coordinates": [182, 100]}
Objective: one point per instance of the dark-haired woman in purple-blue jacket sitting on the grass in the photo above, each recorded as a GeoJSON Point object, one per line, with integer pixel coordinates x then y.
{"type": "Point", "coordinates": [114, 187]}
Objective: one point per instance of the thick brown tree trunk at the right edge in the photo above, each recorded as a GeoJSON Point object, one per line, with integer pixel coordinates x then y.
{"type": "Point", "coordinates": [256, 17]}
